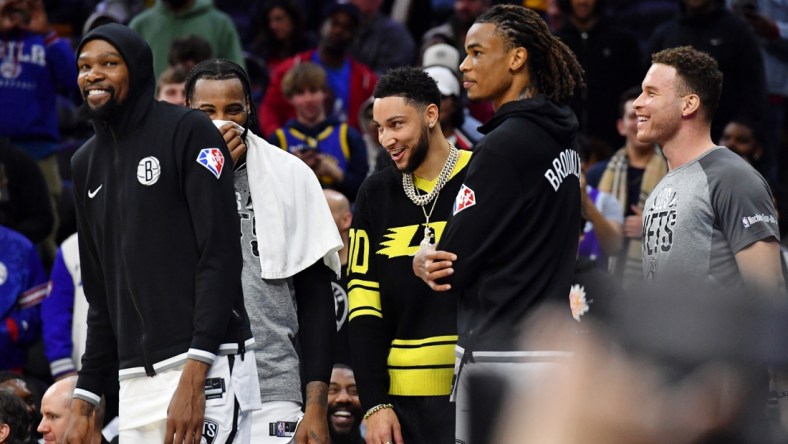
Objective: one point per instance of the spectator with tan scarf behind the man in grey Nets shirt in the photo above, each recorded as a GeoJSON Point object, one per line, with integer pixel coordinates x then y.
{"type": "Point", "coordinates": [630, 176]}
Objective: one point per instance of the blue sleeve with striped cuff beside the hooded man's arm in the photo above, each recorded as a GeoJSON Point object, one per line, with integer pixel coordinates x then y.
{"type": "Point", "coordinates": [56, 316]}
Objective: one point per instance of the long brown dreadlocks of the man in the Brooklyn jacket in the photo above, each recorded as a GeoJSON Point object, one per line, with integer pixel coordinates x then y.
{"type": "Point", "coordinates": [553, 66]}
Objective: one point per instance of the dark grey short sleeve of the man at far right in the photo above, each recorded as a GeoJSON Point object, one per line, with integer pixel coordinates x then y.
{"type": "Point", "coordinates": [743, 205]}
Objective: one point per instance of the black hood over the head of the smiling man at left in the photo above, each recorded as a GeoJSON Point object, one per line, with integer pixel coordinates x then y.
{"type": "Point", "coordinates": [135, 52]}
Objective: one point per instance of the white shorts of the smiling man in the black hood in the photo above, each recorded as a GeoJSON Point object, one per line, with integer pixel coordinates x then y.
{"type": "Point", "coordinates": [230, 398]}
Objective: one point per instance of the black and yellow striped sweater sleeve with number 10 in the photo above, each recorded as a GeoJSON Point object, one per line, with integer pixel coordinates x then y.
{"type": "Point", "coordinates": [369, 340]}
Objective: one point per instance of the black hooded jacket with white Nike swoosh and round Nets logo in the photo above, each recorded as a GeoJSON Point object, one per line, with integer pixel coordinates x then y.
{"type": "Point", "coordinates": [158, 232]}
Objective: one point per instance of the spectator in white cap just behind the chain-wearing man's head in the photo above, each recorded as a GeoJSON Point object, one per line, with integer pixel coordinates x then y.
{"type": "Point", "coordinates": [452, 113]}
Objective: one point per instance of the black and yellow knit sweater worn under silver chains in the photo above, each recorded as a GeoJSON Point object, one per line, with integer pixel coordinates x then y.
{"type": "Point", "coordinates": [402, 334]}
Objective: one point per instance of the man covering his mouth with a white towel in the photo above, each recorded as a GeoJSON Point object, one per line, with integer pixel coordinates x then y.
{"type": "Point", "coordinates": [289, 241]}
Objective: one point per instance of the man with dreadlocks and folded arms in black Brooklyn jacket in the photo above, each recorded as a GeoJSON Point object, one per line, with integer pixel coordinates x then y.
{"type": "Point", "coordinates": [511, 242]}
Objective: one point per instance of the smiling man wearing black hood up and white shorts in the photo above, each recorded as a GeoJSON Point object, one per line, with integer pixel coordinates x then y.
{"type": "Point", "coordinates": [161, 261]}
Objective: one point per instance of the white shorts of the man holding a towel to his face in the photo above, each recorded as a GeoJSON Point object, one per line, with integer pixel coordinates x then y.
{"type": "Point", "coordinates": [276, 422]}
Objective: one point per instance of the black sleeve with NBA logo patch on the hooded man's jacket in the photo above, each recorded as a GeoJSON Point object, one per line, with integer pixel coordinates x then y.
{"type": "Point", "coordinates": [211, 201]}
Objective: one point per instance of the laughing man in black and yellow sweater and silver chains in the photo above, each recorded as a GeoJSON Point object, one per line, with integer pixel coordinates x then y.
{"type": "Point", "coordinates": [402, 334]}
